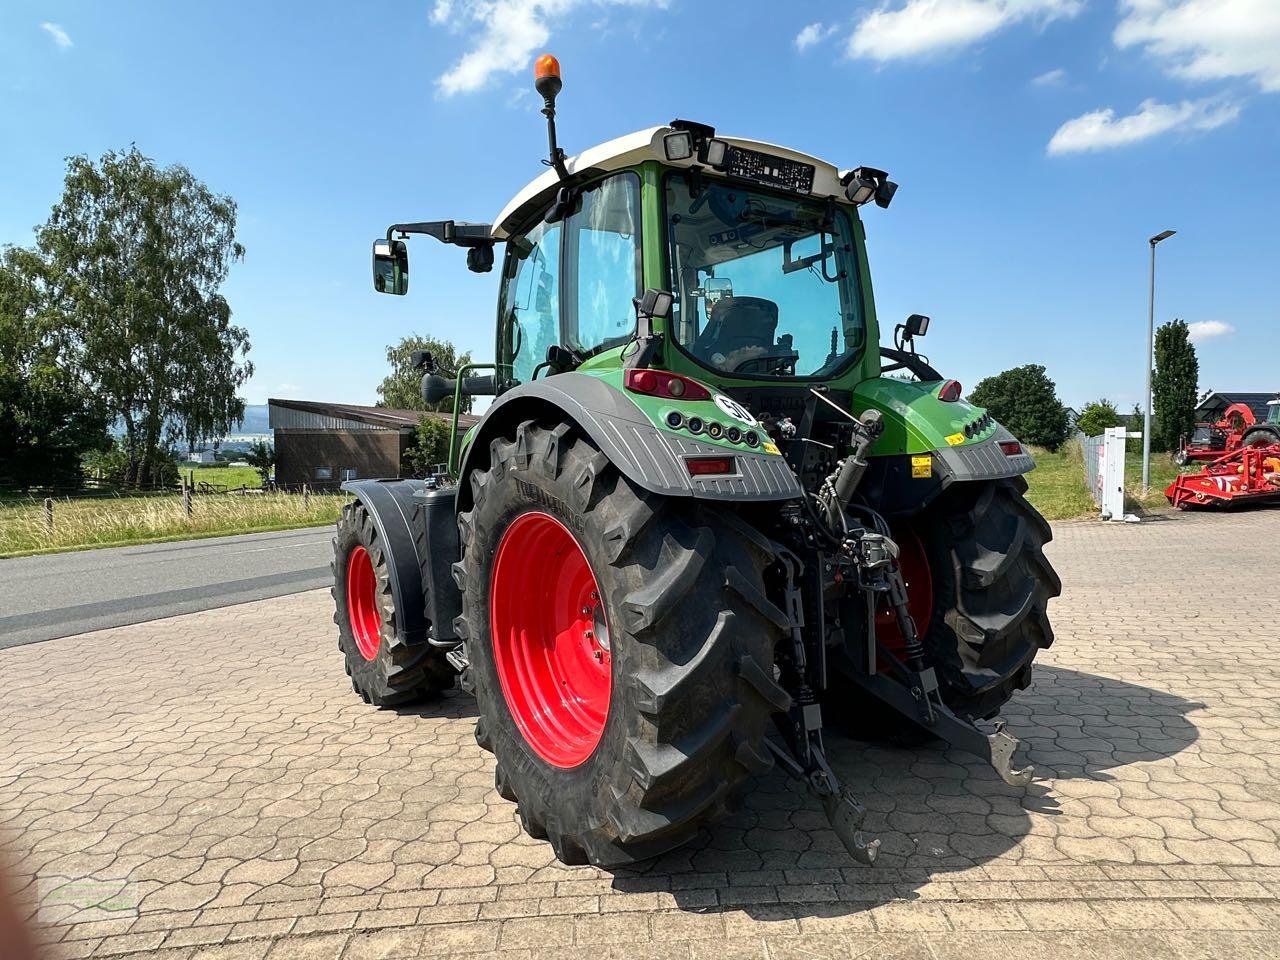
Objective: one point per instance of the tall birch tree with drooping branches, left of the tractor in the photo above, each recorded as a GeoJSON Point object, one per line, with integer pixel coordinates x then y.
{"type": "Point", "coordinates": [135, 257]}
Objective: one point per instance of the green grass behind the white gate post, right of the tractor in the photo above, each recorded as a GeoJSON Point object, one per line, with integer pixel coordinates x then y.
{"type": "Point", "coordinates": [1059, 491]}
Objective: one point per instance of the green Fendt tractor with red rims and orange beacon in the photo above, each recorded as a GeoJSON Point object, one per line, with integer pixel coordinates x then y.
{"type": "Point", "coordinates": [706, 511]}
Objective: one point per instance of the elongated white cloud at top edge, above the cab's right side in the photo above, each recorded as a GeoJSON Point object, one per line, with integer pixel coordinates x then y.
{"type": "Point", "coordinates": [922, 28]}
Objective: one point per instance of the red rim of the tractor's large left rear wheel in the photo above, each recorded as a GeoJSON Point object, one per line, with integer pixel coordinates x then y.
{"type": "Point", "coordinates": [551, 639]}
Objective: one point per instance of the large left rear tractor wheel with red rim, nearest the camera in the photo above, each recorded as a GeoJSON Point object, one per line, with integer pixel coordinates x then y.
{"type": "Point", "coordinates": [621, 648]}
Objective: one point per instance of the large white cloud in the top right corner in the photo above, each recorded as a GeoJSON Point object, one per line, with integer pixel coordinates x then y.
{"type": "Point", "coordinates": [1206, 40]}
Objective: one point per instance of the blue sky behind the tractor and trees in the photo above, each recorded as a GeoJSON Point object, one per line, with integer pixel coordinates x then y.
{"type": "Point", "coordinates": [1039, 144]}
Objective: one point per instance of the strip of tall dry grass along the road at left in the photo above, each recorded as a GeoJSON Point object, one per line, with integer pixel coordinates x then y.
{"type": "Point", "coordinates": [117, 522]}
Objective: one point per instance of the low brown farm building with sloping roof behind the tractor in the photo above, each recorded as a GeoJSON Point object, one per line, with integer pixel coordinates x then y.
{"type": "Point", "coordinates": [322, 445]}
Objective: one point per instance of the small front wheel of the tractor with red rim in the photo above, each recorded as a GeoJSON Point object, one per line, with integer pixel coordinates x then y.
{"type": "Point", "coordinates": [383, 669]}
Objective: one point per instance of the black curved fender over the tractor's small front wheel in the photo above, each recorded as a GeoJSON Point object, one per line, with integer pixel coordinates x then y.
{"type": "Point", "coordinates": [391, 506]}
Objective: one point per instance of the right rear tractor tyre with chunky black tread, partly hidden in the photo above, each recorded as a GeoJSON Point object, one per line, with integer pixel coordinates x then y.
{"type": "Point", "coordinates": [991, 589]}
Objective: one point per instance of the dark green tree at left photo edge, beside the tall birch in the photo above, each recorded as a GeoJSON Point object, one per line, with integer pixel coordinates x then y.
{"type": "Point", "coordinates": [48, 419]}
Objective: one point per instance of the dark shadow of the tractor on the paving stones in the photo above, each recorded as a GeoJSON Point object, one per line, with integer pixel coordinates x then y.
{"type": "Point", "coordinates": [935, 810]}
